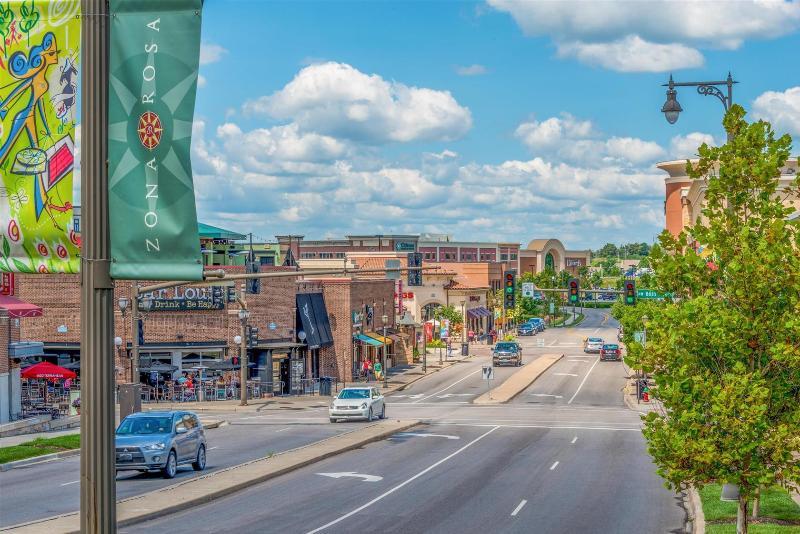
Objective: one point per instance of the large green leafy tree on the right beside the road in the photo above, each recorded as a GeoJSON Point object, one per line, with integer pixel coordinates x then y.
{"type": "Point", "coordinates": [725, 354]}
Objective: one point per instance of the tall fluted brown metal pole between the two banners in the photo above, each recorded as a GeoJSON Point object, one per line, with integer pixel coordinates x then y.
{"type": "Point", "coordinates": [98, 485]}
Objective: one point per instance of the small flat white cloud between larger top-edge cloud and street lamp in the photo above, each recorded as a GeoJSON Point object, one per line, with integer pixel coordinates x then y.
{"type": "Point", "coordinates": [633, 54]}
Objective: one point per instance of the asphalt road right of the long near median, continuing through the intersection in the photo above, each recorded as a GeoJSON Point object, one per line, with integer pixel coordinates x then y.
{"type": "Point", "coordinates": [564, 456]}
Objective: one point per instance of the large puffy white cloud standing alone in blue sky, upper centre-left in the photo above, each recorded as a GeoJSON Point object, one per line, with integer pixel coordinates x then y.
{"type": "Point", "coordinates": [338, 100]}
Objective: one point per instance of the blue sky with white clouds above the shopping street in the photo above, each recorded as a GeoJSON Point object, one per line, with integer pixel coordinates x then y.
{"type": "Point", "coordinates": [495, 120]}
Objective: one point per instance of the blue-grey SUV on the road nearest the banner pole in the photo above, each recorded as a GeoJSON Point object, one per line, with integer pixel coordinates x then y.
{"type": "Point", "coordinates": [160, 441]}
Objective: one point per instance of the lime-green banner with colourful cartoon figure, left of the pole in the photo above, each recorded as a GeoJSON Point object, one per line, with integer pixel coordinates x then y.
{"type": "Point", "coordinates": [39, 55]}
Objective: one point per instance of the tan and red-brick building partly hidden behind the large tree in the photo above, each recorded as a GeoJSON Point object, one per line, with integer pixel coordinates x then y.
{"type": "Point", "coordinates": [684, 197]}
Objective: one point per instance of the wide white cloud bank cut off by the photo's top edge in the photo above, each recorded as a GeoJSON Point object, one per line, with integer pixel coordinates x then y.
{"type": "Point", "coordinates": [651, 36]}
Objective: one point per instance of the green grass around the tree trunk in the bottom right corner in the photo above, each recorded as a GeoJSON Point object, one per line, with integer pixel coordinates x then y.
{"type": "Point", "coordinates": [778, 513]}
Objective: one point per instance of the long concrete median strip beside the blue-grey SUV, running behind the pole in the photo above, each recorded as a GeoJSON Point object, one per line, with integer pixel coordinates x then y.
{"type": "Point", "coordinates": [136, 509]}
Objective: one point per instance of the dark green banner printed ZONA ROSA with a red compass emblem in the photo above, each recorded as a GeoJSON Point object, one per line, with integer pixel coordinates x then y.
{"type": "Point", "coordinates": [155, 55]}
